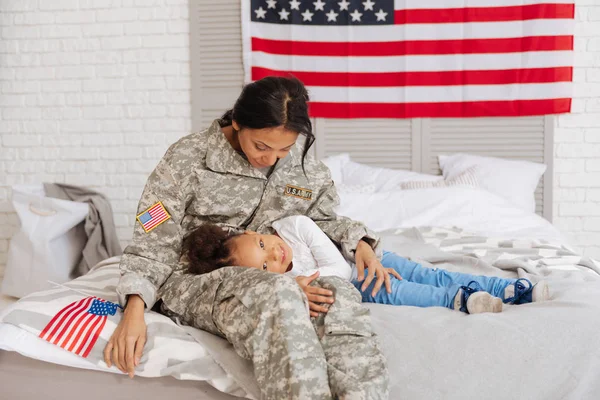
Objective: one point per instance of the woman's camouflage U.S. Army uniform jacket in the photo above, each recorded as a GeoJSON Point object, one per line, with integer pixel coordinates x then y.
{"type": "Point", "coordinates": [202, 179]}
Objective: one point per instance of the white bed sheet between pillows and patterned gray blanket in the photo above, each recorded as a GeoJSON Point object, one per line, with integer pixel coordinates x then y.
{"type": "Point", "coordinates": [472, 209]}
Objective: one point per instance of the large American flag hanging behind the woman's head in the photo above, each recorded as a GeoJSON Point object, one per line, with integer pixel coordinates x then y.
{"type": "Point", "coordinates": [416, 58]}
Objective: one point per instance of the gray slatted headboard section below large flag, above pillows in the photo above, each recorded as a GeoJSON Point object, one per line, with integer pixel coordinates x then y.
{"type": "Point", "coordinates": [414, 144]}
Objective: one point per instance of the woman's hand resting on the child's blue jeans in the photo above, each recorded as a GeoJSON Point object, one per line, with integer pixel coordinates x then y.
{"type": "Point", "coordinates": [365, 257]}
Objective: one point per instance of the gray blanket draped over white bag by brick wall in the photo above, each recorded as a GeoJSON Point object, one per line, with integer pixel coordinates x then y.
{"type": "Point", "coordinates": [102, 242]}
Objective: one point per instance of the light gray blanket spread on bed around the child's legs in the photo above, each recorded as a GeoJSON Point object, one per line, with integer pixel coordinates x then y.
{"type": "Point", "coordinates": [542, 351]}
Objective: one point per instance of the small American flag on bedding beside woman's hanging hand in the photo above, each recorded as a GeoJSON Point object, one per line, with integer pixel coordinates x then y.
{"type": "Point", "coordinates": [76, 327]}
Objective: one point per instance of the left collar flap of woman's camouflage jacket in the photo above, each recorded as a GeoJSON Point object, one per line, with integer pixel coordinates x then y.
{"type": "Point", "coordinates": [221, 157]}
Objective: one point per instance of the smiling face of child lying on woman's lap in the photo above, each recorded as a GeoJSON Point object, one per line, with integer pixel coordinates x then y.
{"type": "Point", "coordinates": [264, 252]}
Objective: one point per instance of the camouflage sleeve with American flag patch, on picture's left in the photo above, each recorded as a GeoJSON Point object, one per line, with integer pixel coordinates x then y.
{"type": "Point", "coordinates": [151, 257]}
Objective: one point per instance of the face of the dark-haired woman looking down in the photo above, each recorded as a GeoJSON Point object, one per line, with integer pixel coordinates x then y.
{"type": "Point", "coordinates": [263, 147]}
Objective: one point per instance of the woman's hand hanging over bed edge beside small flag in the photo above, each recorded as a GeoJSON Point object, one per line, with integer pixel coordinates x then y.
{"type": "Point", "coordinates": [126, 344]}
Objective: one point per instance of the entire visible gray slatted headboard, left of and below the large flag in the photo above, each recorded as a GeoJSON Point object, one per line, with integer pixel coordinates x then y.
{"type": "Point", "coordinates": [217, 78]}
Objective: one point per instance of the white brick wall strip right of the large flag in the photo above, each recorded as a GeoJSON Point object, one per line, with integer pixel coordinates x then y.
{"type": "Point", "coordinates": [577, 148]}
